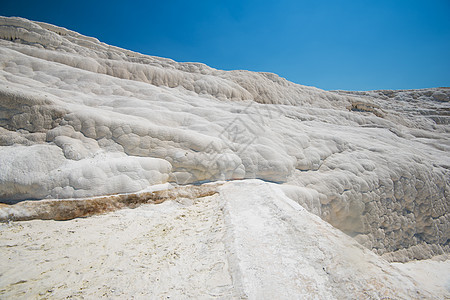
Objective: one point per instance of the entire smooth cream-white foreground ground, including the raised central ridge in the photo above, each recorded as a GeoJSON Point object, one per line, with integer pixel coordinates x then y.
{"type": "Point", "coordinates": [247, 241]}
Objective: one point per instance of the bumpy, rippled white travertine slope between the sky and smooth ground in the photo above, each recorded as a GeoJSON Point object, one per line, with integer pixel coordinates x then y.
{"type": "Point", "coordinates": [80, 118]}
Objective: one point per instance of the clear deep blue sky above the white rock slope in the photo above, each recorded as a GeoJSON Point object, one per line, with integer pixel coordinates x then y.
{"type": "Point", "coordinates": [349, 45]}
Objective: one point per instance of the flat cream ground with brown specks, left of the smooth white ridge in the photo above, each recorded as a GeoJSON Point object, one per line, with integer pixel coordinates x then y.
{"type": "Point", "coordinates": [171, 250]}
